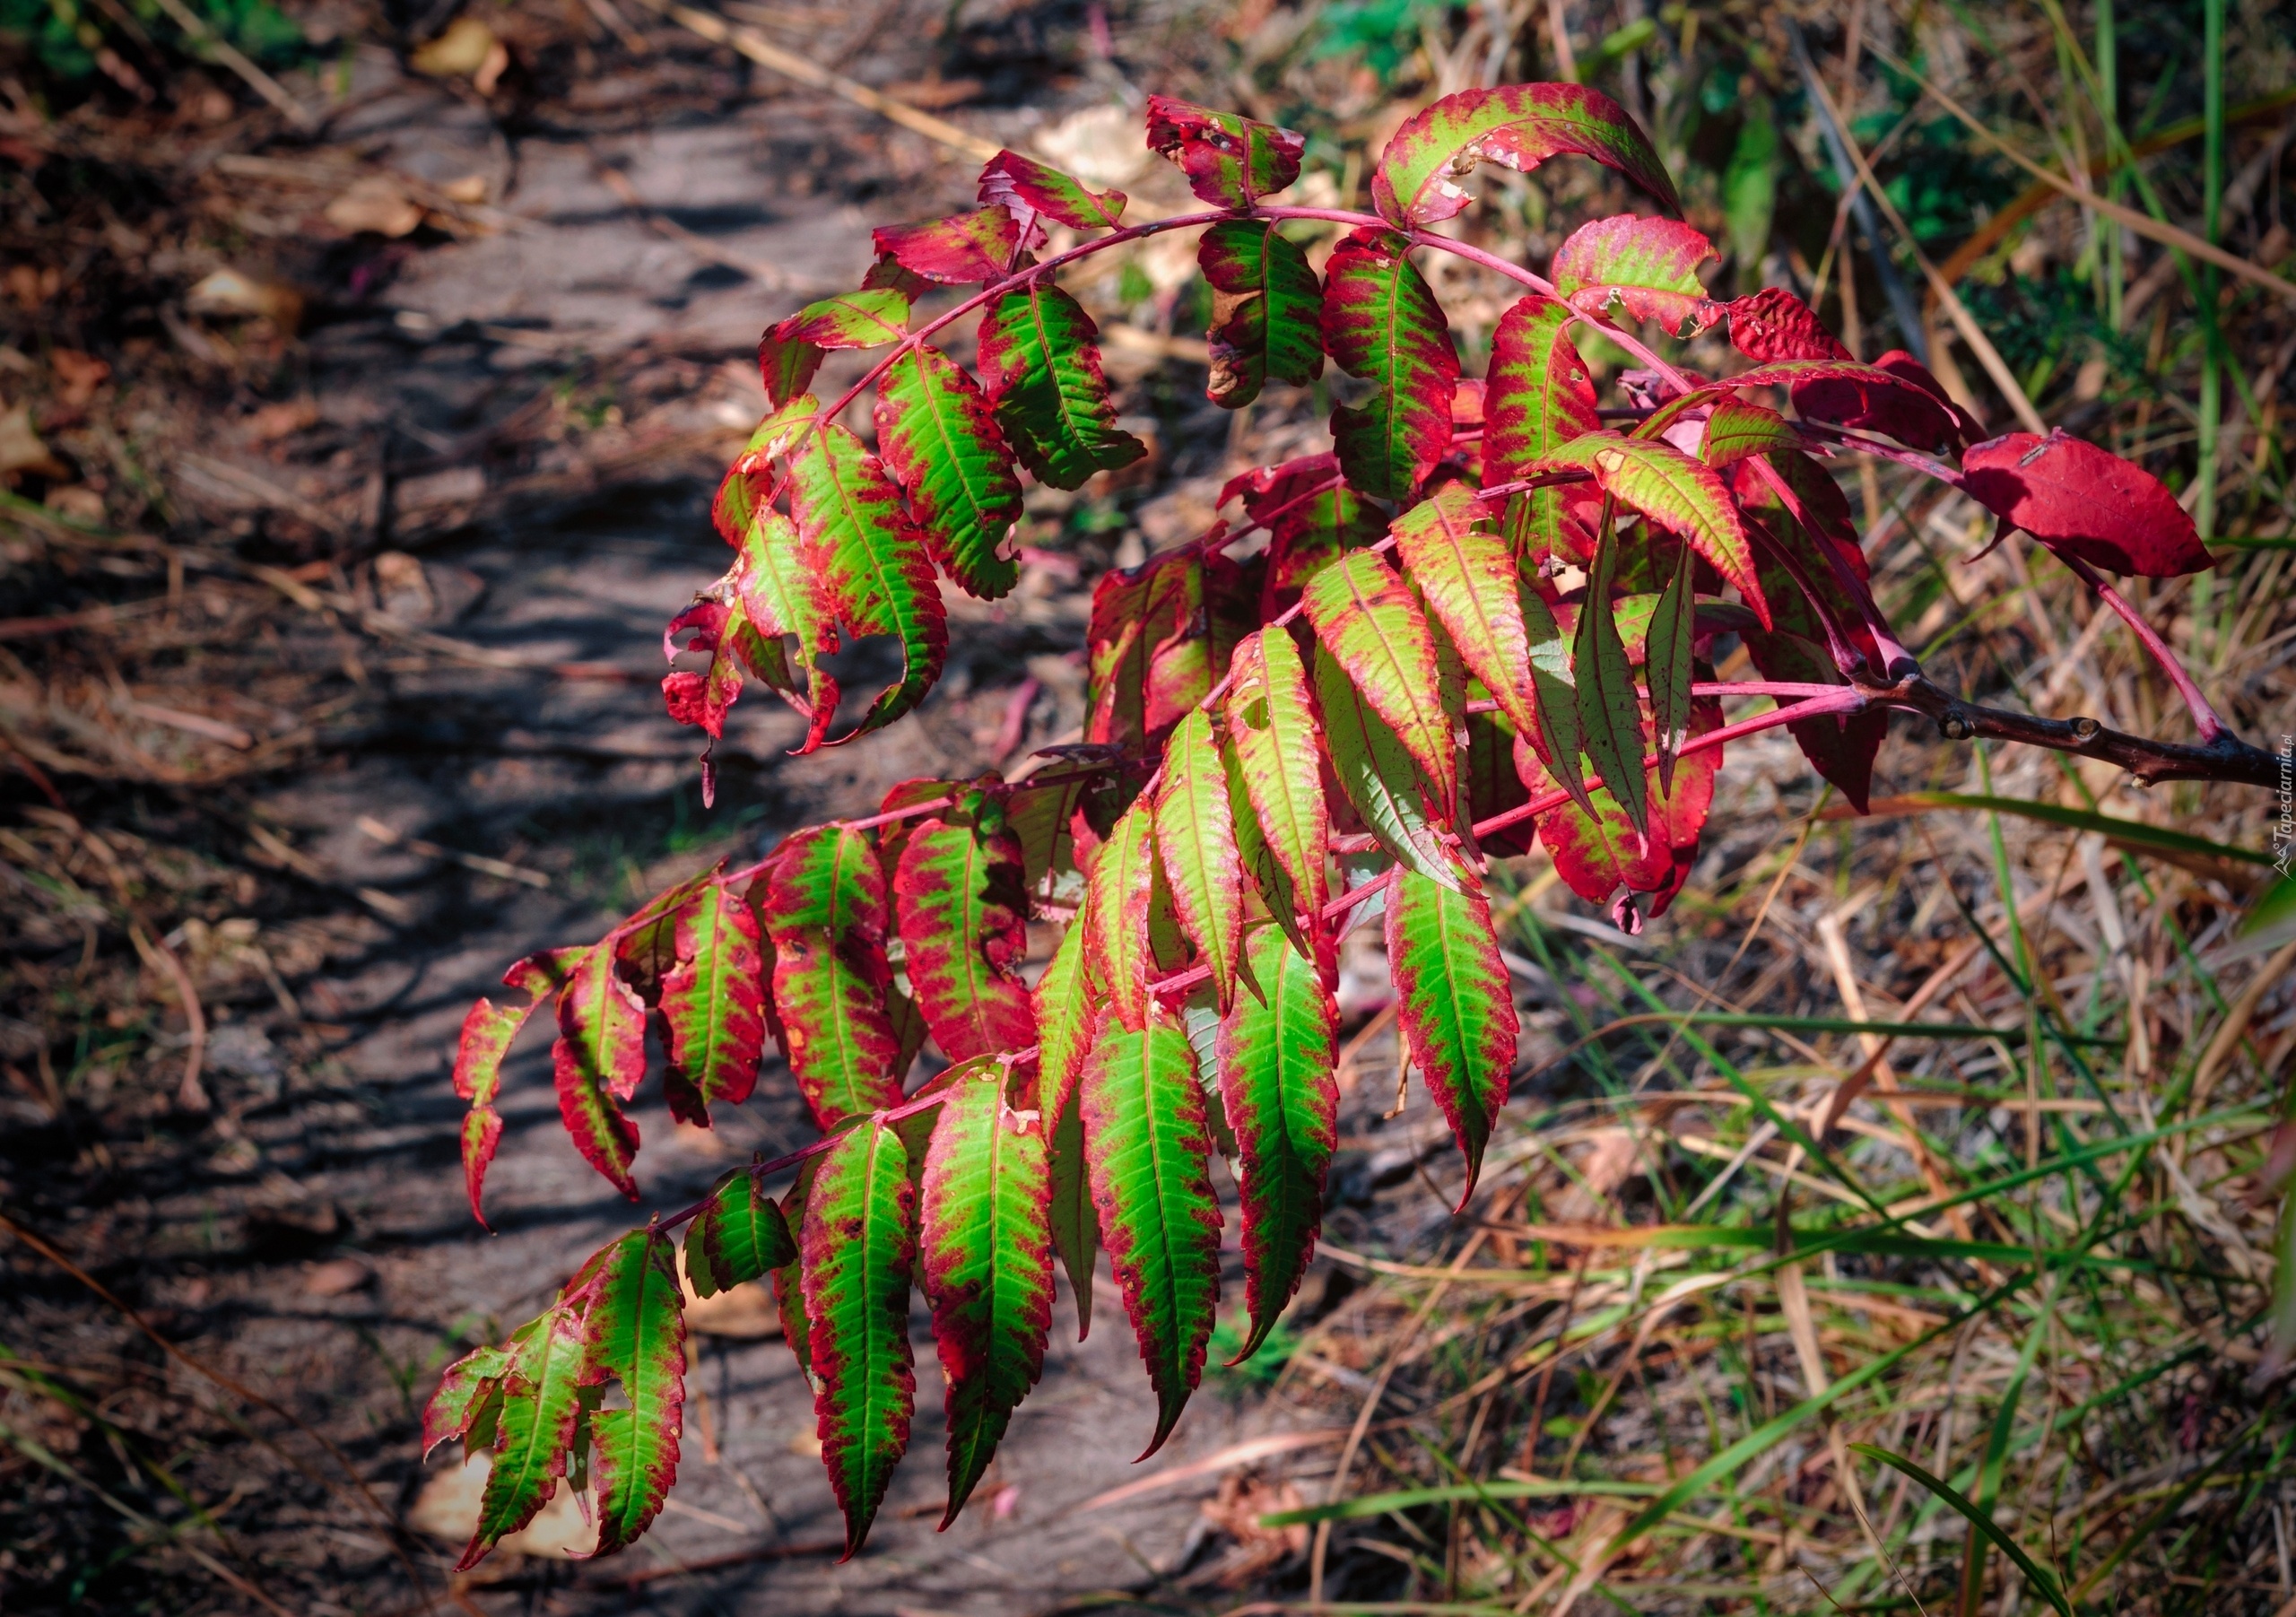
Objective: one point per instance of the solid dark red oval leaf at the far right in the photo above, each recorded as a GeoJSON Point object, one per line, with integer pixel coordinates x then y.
{"type": "Point", "coordinates": [2086, 502]}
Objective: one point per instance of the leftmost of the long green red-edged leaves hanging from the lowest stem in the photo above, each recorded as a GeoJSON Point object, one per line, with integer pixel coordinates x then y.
{"type": "Point", "coordinates": [855, 1262]}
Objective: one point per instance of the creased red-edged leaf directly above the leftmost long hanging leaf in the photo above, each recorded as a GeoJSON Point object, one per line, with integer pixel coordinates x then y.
{"type": "Point", "coordinates": [825, 913]}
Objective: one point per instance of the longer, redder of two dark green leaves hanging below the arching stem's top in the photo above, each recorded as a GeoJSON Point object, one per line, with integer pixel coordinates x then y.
{"type": "Point", "coordinates": [1383, 323]}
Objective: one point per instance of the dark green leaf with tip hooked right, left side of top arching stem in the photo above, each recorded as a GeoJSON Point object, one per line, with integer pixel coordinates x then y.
{"type": "Point", "coordinates": [1041, 369]}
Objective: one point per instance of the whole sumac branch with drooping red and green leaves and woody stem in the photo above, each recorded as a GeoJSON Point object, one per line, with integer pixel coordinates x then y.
{"type": "Point", "coordinates": [1487, 614]}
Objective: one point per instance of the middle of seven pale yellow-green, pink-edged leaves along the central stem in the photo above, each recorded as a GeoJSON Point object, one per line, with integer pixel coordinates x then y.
{"type": "Point", "coordinates": [1275, 741]}
